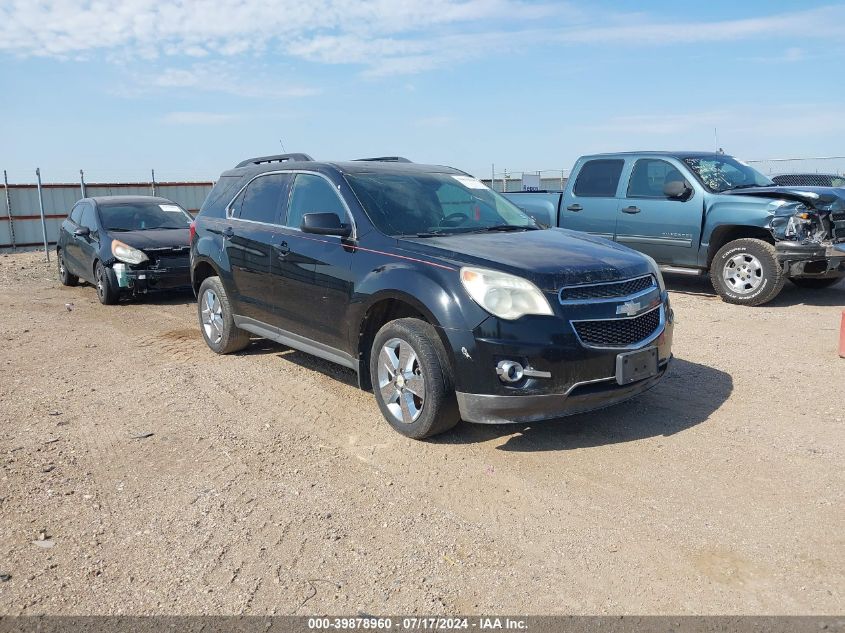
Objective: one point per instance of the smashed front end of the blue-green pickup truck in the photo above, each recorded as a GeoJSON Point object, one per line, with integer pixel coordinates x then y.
{"type": "Point", "coordinates": [808, 226]}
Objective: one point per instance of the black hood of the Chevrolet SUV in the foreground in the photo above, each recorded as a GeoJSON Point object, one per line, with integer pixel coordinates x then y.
{"type": "Point", "coordinates": [550, 258]}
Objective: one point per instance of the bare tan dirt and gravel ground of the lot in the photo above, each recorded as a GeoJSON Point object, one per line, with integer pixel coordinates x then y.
{"type": "Point", "coordinates": [270, 484]}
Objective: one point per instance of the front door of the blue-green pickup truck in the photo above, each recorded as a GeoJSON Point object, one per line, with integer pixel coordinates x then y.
{"type": "Point", "coordinates": [668, 229]}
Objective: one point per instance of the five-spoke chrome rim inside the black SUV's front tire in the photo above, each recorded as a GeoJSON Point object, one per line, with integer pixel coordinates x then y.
{"type": "Point", "coordinates": [400, 380]}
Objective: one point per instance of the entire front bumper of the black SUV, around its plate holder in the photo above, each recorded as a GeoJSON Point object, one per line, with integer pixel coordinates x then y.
{"type": "Point", "coordinates": [567, 376]}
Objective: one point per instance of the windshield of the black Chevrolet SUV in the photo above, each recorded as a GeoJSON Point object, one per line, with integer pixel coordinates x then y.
{"type": "Point", "coordinates": [428, 204]}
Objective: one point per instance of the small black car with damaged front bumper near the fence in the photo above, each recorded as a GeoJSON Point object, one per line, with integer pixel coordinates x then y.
{"type": "Point", "coordinates": [125, 246]}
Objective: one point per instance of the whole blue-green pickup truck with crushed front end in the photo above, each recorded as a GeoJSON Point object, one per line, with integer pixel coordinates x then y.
{"type": "Point", "coordinates": [695, 212]}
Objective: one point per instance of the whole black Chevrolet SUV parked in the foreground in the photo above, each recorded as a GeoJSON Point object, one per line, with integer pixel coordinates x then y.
{"type": "Point", "coordinates": [447, 300]}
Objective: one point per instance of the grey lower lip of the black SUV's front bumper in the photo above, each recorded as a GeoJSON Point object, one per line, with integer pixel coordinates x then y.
{"type": "Point", "coordinates": [581, 397]}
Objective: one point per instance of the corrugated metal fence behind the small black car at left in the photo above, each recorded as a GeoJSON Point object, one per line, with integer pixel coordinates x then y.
{"type": "Point", "coordinates": [20, 209]}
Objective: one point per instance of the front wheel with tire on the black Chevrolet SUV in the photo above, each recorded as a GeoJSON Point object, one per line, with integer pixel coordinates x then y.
{"type": "Point", "coordinates": [412, 379]}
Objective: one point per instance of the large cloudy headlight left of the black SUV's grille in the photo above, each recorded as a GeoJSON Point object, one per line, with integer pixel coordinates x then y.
{"type": "Point", "coordinates": [505, 296]}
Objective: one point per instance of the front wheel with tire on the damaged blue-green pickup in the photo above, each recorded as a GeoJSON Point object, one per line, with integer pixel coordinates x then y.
{"type": "Point", "coordinates": [746, 272]}
